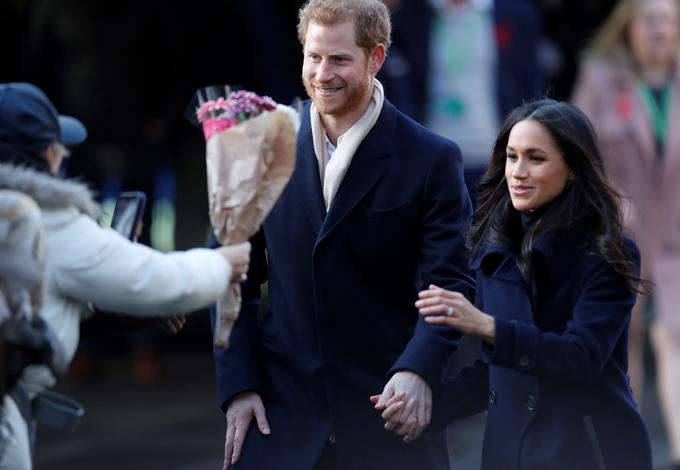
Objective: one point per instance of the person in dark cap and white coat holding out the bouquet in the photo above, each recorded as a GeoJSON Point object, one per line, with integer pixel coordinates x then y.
{"type": "Point", "coordinates": [87, 264]}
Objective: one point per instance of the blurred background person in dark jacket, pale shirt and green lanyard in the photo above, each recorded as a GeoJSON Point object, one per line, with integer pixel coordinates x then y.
{"type": "Point", "coordinates": [458, 66]}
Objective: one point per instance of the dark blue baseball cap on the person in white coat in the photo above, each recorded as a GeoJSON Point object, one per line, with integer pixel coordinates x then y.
{"type": "Point", "coordinates": [29, 120]}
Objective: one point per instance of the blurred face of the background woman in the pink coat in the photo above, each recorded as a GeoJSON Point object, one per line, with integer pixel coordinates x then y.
{"type": "Point", "coordinates": [655, 32]}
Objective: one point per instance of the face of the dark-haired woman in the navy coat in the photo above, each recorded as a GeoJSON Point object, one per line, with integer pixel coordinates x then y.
{"type": "Point", "coordinates": [534, 167]}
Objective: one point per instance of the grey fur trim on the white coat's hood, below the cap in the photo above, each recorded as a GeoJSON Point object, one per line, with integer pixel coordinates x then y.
{"type": "Point", "coordinates": [49, 191]}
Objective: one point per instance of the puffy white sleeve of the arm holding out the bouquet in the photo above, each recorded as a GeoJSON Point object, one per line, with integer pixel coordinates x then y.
{"type": "Point", "coordinates": [97, 265]}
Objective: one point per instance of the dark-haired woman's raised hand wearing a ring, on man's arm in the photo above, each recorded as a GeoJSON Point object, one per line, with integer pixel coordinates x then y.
{"type": "Point", "coordinates": [452, 308]}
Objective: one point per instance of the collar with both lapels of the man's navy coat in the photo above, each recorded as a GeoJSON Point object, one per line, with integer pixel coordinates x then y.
{"type": "Point", "coordinates": [363, 173]}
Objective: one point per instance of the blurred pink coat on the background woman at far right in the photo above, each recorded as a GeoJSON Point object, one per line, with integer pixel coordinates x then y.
{"type": "Point", "coordinates": [607, 93]}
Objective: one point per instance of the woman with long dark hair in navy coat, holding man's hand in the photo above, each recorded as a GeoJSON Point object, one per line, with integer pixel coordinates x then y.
{"type": "Point", "coordinates": [556, 282]}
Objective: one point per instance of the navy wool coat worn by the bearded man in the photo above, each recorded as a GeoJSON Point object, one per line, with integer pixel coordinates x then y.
{"type": "Point", "coordinates": [342, 286]}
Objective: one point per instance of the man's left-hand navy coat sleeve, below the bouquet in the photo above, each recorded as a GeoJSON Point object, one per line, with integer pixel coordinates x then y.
{"type": "Point", "coordinates": [237, 366]}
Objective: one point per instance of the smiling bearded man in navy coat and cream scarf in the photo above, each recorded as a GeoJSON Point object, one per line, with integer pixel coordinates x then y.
{"type": "Point", "coordinates": [375, 211]}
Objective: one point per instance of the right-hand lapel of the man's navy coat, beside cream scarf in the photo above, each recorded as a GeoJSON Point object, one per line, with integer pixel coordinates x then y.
{"type": "Point", "coordinates": [364, 171]}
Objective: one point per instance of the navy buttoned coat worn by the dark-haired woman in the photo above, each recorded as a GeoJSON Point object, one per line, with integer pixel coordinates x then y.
{"type": "Point", "coordinates": [555, 383]}
